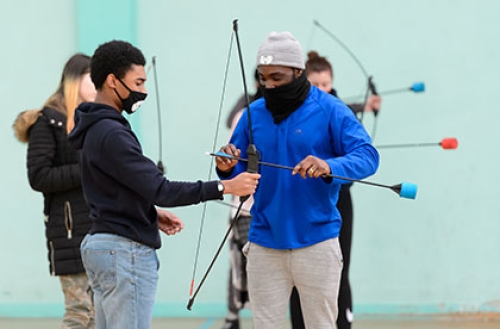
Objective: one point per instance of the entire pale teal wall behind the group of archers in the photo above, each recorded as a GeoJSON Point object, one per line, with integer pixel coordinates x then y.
{"type": "Point", "coordinates": [436, 254]}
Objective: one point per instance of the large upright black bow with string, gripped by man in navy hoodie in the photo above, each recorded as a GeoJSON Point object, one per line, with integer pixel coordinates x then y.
{"type": "Point", "coordinates": [252, 167]}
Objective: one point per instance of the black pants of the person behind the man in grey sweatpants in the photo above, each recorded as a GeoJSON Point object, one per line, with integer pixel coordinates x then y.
{"type": "Point", "coordinates": [344, 205]}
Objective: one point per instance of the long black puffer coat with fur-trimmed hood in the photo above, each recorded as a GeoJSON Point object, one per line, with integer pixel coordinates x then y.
{"type": "Point", "coordinates": [53, 169]}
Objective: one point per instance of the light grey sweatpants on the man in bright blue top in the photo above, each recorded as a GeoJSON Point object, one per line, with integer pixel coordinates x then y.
{"type": "Point", "coordinates": [314, 270]}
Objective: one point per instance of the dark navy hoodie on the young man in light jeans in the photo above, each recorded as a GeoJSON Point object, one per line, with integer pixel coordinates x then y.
{"type": "Point", "coordinates": [121, 185]}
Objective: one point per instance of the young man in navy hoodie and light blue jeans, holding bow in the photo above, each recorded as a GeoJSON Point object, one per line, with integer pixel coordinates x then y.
{"type": "Point", "coordinates": [122, 188]}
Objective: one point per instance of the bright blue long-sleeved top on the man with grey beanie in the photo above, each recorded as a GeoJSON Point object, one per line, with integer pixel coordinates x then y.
{"type": "Point", "coordinates": [289, 211]}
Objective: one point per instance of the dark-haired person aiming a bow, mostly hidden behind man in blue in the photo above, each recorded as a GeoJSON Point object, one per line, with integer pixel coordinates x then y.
{"type": "Point", "coordinates": [320, 73]}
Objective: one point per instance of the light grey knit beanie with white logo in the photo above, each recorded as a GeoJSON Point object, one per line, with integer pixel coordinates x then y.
{"type": "Point", "coordinates": [280, 48]}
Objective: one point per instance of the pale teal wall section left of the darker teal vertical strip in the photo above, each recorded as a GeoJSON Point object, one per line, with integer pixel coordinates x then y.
{"type": "Point", "coordinates": [34, 48]}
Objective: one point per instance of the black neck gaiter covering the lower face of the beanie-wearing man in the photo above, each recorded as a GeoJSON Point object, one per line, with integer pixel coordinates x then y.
{"type": "Point", "coordinates": [284, 100]}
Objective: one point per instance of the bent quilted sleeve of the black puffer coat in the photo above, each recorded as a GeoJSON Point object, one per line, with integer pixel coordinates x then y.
{"type": "Point", "coordinates": [43, 174]}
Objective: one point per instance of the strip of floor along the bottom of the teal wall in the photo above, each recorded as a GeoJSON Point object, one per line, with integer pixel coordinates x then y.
{"type": "Point", "coordinates": [458, 322]}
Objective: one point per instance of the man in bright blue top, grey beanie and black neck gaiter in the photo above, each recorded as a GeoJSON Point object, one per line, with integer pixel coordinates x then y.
{"type": "Point", "coordinates": [293, 238]}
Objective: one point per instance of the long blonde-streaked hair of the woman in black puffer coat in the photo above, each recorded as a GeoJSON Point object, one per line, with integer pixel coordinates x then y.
{"type": "Point", "coordinates": [67, 96]}
